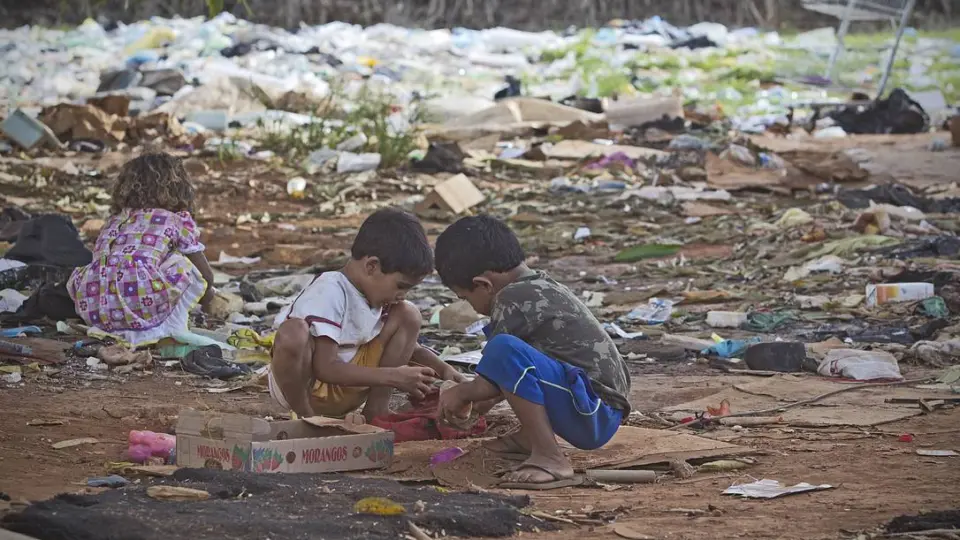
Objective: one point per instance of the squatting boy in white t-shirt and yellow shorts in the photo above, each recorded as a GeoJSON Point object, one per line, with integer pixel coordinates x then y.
{"type": "Point", "coordinates": [350, 337]}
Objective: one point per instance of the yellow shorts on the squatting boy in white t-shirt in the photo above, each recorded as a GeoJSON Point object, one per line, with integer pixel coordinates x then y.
{"type": "Point", "coordinates": [337, 401]}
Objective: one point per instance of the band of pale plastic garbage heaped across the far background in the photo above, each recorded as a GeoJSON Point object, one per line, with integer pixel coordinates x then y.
{"type": "Point", "coordinates": [216, 74]}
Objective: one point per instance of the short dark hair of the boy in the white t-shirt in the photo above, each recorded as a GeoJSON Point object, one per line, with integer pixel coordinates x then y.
{"type": "Point", "coordinates": [396, 238]}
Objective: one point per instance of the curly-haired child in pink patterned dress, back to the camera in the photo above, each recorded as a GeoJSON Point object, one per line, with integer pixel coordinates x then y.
{"type": "Point", "coordinates": [148, 270]}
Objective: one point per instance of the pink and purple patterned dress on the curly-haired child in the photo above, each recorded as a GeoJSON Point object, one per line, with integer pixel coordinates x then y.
{"type": "Point", "coordinates": [140, 287]}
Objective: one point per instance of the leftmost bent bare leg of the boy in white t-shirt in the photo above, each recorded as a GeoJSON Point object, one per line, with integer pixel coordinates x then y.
{"type": "Point", "coordinates": [292, 365]}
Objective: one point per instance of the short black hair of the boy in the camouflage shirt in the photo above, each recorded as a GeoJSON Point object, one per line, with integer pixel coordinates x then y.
{"type": "Point", "coordinates": [474, 245]}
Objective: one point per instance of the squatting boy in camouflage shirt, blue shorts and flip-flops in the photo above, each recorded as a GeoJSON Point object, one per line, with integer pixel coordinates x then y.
{"type": "Point", "coordinates": [547, 355]}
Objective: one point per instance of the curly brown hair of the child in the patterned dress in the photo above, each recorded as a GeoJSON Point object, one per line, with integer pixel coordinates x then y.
{"type": "Point", "coordinates": [153, 181]}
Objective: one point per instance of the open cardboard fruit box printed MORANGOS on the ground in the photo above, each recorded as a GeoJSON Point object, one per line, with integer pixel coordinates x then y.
{"type": "Point", "coordinates": [311, 445]}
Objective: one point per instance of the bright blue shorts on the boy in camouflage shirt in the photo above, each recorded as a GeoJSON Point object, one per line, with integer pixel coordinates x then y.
{"type": "Point", "coordinates": [577, 415]}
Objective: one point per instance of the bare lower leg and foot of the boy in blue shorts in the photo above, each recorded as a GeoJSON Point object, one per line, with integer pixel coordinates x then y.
{"type": "Point", "coordinates": [545, 453]}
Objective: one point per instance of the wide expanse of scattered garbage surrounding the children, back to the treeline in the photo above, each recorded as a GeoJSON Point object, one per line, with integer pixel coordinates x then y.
{"type": "Point", "coordinates": [690, 239]}
